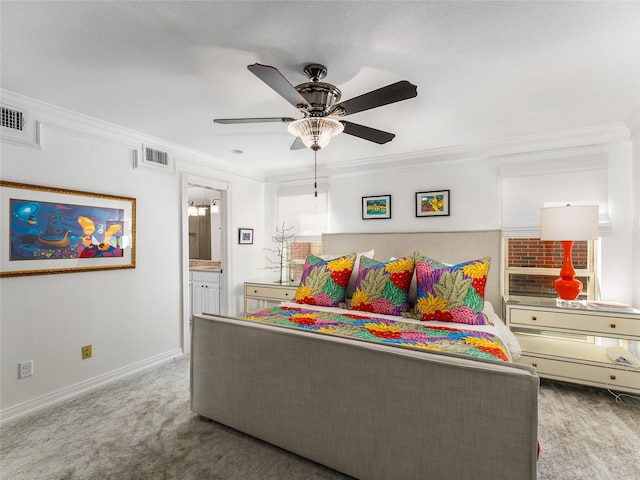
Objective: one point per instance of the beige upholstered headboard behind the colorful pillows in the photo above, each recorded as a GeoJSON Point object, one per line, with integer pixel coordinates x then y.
{"type": "Point", "coordinates": [447, 247]}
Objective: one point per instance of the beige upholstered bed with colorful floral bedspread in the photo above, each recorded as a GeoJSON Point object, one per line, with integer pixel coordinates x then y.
{"type": "Point", "coordinates": [375, 409]}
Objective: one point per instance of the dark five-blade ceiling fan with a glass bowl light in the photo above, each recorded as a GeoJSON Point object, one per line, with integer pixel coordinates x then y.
{"type": "Point", "coordinates": [317, 102]}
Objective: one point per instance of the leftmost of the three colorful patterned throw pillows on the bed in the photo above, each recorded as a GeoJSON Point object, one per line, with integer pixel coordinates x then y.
{"type": "Point", "coordinates": [324, 282]}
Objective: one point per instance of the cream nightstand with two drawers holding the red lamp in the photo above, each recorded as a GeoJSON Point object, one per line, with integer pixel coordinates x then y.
{"type": "Point", "coordinates": [570, 344]}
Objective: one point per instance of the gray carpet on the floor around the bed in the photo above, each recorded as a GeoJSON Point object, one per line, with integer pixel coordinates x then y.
{"type": "Point", "coordinates": [142, 428]}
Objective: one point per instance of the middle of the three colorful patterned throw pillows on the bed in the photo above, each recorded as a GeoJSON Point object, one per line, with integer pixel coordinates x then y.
{"type": "Point", "coordinates": [383, 287]}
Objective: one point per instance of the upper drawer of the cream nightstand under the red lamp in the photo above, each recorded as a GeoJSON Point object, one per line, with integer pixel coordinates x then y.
{"type": "Point", "coordinates": [589, 324]}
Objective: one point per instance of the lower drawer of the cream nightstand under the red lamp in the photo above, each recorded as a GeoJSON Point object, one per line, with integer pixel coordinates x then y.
{"type": "Point", "coordinates": [598, 376]}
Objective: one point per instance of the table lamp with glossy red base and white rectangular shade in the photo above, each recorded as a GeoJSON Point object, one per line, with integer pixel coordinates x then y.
{"type": "Point", "coordinates": [568, 224]}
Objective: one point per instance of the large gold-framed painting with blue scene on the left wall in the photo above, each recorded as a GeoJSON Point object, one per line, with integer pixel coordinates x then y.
{"type": "Point", "coordinates": [47, 230]}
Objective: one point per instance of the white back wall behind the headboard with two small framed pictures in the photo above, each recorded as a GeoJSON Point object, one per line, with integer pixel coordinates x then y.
{"type": "Point", "coordinates": [473, 180]}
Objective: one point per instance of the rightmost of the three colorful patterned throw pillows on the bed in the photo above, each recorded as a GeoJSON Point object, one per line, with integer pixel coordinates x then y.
{"type": "Point", "coordinates": [451, 293]}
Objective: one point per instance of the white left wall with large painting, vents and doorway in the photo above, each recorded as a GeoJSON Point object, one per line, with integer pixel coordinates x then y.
{"type": "Point", "coordinates": [133, 318]}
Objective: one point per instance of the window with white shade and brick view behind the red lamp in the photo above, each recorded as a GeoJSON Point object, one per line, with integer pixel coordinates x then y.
{"type": "Point", "coordinates": [531, 265]}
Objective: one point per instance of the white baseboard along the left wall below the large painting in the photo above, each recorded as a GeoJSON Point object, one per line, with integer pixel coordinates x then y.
{"type": "Point", "coordinates": [32, 406]}
